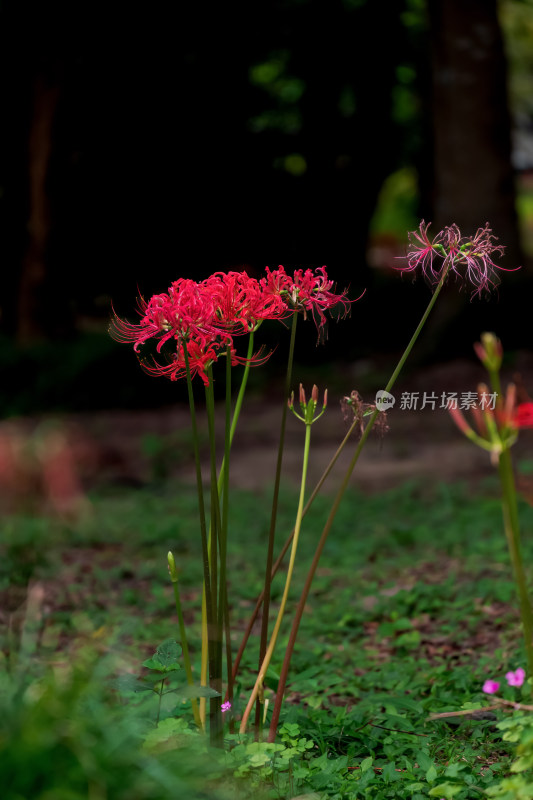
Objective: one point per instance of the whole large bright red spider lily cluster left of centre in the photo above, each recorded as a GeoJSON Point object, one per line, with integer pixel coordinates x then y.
{"type": "Point", "coordinates": [202, 319]}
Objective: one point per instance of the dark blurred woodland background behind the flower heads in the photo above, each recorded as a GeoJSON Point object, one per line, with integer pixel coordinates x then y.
{"type": "Point", "coordinates": [172, 140]}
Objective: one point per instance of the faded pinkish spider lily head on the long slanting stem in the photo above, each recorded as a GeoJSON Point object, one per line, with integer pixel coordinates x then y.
{"type": "Point", "coordinates": [469, 258]}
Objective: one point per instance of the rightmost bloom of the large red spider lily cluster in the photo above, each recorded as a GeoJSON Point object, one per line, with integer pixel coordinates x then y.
{"type": "Point", "coordinates": [306, 291]}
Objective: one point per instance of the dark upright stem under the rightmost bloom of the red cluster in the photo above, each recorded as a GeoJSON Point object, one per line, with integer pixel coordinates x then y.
{"type": "Point", "coordinates": [274, 514]}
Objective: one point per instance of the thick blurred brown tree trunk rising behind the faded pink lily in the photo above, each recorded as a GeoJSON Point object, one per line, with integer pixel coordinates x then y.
{"type": "Point", "coordinates": [473, 176]}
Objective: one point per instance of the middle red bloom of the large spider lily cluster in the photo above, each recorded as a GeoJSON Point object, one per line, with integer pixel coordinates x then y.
{"type": "Point", "coordinates": [241, 303]}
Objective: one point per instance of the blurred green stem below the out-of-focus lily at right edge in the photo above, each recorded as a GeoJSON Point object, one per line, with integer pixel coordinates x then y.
{"type": "Point", "coordinates": [512, 533]}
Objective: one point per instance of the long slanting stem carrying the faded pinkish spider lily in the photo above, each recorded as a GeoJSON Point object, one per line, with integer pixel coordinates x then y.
{"type": "Point", "coordinates": [305, 593]}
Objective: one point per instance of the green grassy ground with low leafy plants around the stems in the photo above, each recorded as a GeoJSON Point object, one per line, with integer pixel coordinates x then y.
{"type": "Point", "coordinates": [413, 607]}
